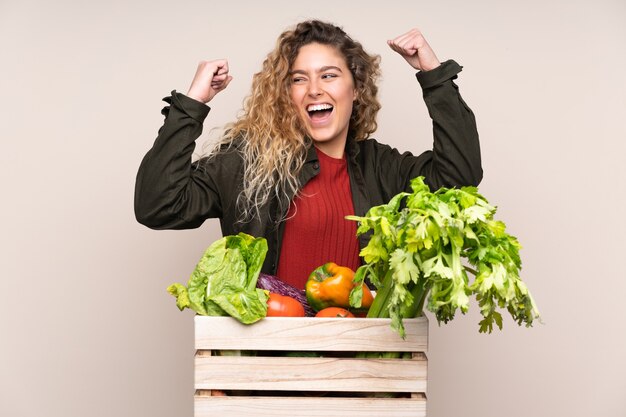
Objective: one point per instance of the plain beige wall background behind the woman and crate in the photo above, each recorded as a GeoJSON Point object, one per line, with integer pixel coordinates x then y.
{"type": "Point", "coordinates": [86, 326]}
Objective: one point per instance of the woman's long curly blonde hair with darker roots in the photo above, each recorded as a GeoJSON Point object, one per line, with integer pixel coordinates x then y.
{"type": "Point", "coordinates": [270, 133]}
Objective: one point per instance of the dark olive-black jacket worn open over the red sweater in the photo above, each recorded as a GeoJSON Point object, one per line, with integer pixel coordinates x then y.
{"type": "Point", "coordinates": [173, 193]}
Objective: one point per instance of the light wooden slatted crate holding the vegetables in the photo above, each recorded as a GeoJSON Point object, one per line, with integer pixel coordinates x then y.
{"type": "Point", "coordinates": [335, 384]}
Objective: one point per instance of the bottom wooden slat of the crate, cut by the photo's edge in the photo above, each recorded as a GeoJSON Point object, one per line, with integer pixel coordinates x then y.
{"type": "Point", "coordinates": [307, 407]}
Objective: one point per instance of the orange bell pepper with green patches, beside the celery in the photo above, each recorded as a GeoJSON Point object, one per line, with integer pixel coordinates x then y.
{"type": "Point", "coordinates": [330, 285]}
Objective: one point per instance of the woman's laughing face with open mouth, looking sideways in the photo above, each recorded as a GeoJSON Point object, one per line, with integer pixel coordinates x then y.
{"type": "Point", "coordinates": [322, 90]}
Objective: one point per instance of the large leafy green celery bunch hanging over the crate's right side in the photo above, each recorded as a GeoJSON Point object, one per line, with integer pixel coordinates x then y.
{"type": "Point", "coordinates": [420, 246]}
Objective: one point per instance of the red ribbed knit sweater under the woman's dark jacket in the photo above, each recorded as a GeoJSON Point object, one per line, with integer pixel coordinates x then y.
{"type": "Point", "coordinates": [316, 231]}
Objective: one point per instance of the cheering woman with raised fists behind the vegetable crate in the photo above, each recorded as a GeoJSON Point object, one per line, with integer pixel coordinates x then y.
{"type": "Point", "coordinates": [299, 159]}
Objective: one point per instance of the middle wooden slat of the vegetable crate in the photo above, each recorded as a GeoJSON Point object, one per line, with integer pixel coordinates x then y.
{"type": "Point", "coordinates": [310, 374]}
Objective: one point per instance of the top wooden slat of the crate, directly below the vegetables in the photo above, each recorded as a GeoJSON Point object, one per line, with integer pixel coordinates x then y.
{"type": "Point", "coordinates": [310, 334]}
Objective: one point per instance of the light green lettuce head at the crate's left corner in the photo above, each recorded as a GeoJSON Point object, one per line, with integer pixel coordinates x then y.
{"type": "Point", "coordinates": [224, 280]}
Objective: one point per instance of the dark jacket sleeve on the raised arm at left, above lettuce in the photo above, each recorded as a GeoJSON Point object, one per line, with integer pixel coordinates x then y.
{"type": "Point", "coordinates": [170, 191]}
